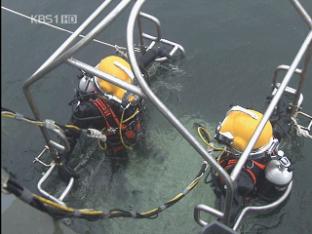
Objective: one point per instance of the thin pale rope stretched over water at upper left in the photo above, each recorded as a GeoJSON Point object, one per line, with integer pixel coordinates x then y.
{"type": "Point", "coordinates": [32, 19]}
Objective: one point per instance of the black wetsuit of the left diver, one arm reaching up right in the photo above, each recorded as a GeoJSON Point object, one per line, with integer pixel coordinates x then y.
{"type": "Point", "coordinates": [87, 115]}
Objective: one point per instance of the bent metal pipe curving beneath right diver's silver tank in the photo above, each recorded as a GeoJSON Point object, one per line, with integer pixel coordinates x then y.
{"type": "Point", "coordinates": [263, 208]}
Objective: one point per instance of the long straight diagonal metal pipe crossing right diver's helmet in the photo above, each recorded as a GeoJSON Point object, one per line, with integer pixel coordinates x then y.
{"type": "Point", "coordinates": [242, 160]}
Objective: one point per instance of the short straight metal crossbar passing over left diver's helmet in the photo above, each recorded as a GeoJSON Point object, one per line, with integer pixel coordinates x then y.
{"type": "Point", "coordinates": [94, 71]}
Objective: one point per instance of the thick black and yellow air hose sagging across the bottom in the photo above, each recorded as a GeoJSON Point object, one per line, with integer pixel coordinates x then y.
{"type": "Point", "coordinates": [62, 211]}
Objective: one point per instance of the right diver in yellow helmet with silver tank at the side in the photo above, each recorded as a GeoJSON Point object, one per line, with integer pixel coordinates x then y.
{"type": "Point", "coordinates": [267, 172]}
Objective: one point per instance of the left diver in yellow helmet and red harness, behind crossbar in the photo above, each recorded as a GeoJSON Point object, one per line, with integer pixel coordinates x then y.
{"type": "Point", "coordinates": [103, 106]}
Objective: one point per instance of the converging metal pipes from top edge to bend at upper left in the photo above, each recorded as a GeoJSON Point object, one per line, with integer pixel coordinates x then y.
{"type": "Point", "coordinates": [57, 58]}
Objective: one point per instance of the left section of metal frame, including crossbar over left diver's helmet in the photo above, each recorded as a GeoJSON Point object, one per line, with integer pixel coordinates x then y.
{"type": "Point", "coordinates": [63, 55]}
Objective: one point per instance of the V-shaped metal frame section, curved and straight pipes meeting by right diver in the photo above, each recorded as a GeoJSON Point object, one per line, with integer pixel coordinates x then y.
{"type": "Point", "coordinates": [177, 124]}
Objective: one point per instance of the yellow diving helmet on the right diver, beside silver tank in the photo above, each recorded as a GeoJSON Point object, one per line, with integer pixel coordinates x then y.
{"type": "Point", "coordinates": [238, 127]}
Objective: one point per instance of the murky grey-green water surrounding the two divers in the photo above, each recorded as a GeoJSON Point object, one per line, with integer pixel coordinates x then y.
{"type": "Point", "coordinates": [232, 50]}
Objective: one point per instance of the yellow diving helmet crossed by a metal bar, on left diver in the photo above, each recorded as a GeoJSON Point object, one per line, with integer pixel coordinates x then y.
{"type": "Point", "coordinates": [120, 69]}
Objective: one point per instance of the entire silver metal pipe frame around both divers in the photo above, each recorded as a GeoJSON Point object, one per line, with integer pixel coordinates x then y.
{"type": "Point", "coordinates": [64, 53]}
